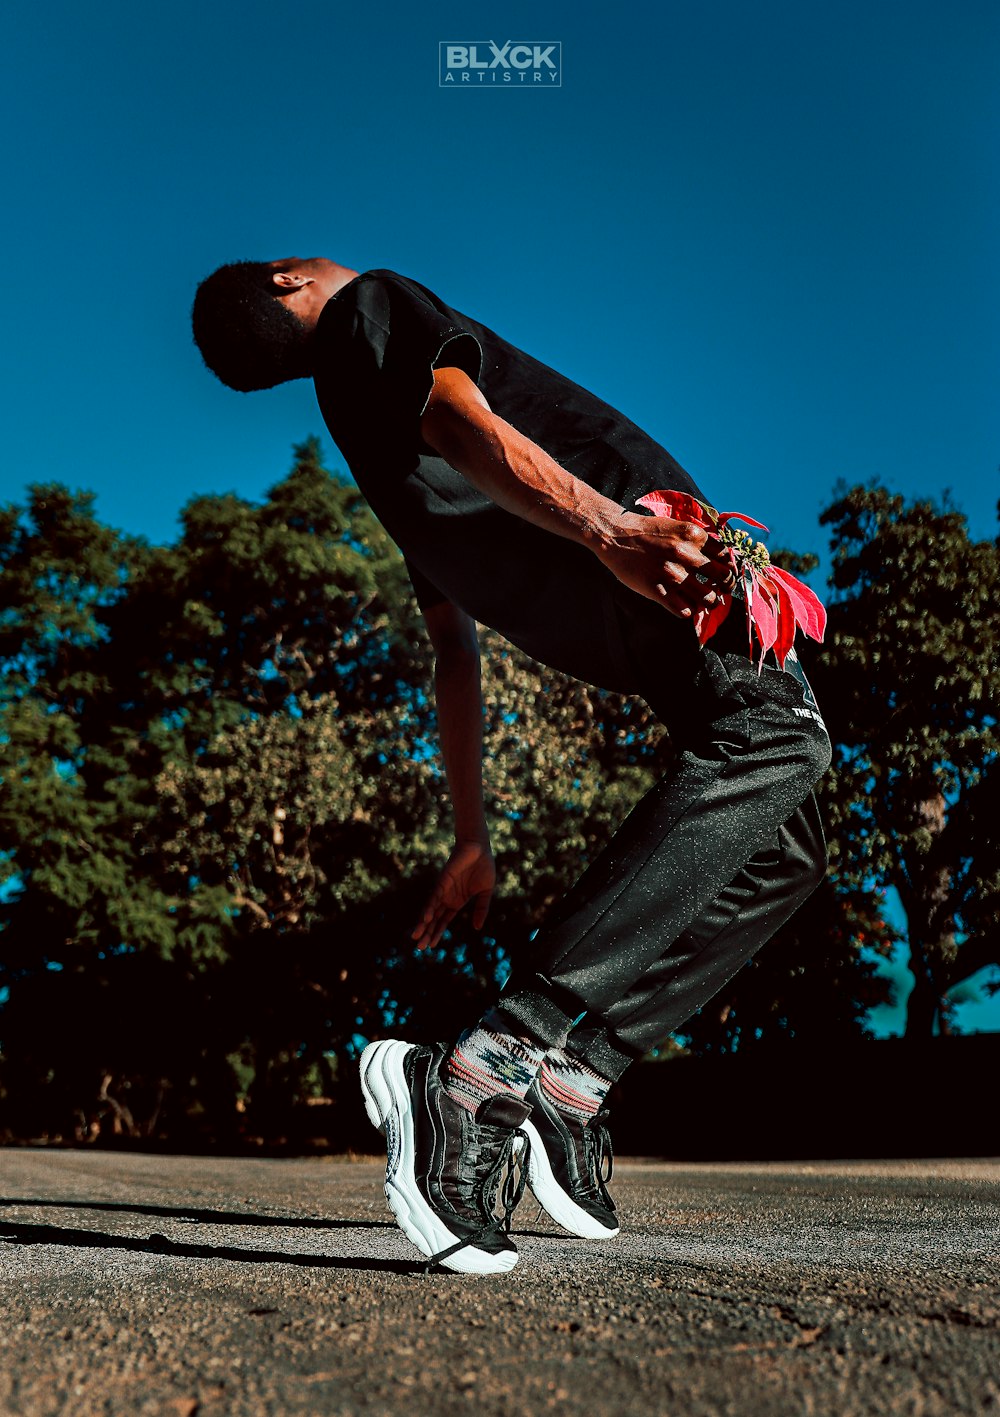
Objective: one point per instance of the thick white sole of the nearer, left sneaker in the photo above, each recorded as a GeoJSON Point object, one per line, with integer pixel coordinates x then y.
{"type": "Point", "coordinates": [387, 1105]}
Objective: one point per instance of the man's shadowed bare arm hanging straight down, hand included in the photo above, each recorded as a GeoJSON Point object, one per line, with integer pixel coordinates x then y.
{"type": "Point", "coordinates": [470, 874]}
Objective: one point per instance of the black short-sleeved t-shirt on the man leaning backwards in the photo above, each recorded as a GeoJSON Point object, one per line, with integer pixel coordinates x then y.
{"type": "Point", "coordinates": [377, 345]}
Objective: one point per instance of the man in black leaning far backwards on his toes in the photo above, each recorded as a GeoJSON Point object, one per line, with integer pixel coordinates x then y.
{"type": "Point", "coordinates": [511, 492]}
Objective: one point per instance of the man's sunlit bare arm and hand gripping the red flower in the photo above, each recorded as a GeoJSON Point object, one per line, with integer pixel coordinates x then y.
{"type": "Point", "coordinates": [674, 563]}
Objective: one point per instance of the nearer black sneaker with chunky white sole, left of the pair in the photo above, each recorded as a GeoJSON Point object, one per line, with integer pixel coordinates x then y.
{"type": "Point", "coordinates": [445, 1167]}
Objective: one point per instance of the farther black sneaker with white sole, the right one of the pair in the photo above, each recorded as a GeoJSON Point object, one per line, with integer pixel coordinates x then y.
{"type": "Point", "coordinates": [570, 1165]}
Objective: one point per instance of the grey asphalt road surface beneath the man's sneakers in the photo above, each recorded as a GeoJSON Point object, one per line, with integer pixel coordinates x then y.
{"type": "Point", "coordinates": [172, 1287]}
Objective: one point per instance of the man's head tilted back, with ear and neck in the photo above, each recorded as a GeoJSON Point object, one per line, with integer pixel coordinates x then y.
{"type": "Point", "coordinates": [254, 321]}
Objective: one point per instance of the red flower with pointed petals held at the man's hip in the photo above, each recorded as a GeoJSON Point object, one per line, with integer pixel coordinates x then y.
{"type": "Point", "coordinates": [777, 602]}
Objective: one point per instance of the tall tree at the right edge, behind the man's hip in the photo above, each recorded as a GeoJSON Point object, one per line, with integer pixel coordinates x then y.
{"type": "Point", "coordinates": [910, 682]}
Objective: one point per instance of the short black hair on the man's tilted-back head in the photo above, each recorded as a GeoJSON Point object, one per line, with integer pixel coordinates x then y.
{"type": "Point", "coordinates": [247, 337]}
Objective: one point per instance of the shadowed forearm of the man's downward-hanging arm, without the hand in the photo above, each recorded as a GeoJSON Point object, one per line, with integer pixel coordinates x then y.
{"type": "Point", "coordinates": [461, 726]}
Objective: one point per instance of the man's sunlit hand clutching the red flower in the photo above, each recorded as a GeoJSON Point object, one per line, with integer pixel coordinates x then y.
{"type": "Point", "coordinates": [675, 563]}
